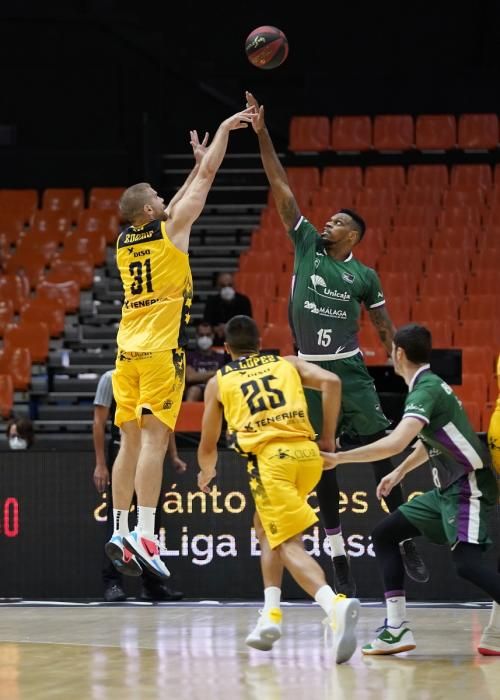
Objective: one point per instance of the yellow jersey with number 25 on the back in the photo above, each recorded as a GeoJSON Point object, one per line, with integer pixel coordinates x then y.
{"type": "Point", "coordinates": [263, 400]}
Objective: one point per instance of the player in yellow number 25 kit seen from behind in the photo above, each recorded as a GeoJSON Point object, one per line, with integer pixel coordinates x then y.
{"type": "Point", "coordinates": [266, 412]}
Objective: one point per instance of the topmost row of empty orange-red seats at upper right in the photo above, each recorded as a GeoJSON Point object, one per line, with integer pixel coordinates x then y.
{"type": "Point", "coordinates": [439, 132]}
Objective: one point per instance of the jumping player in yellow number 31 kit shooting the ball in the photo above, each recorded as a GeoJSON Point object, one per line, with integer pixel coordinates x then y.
{"type": "Point", "coordinates": [148, 382]}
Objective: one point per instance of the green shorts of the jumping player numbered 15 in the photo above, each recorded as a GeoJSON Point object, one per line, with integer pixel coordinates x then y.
{"type": "Point", "coordinates": [361, 413]}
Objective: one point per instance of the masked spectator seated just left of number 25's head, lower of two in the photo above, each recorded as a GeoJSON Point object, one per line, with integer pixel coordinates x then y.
{"type": "Point", "coordinates": [202, 363]}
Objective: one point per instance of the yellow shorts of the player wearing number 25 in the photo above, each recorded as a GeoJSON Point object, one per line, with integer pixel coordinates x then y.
{"type": "Point", "coordinates": [281, 477]}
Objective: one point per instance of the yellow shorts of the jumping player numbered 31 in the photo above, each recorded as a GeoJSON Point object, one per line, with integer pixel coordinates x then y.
{"type": "Point", "coordinates": [152, 380]}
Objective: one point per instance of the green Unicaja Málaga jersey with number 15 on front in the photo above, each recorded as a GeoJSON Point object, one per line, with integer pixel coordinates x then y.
{"type": "Point", "coordinates": [326, 297]}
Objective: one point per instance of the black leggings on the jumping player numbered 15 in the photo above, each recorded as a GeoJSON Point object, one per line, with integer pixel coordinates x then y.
{"type": "Point", "coordinates": [328, 488]}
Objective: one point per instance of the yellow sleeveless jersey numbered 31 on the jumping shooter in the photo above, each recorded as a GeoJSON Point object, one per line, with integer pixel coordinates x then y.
{"type": "Point", "coordinates": [157, 288]}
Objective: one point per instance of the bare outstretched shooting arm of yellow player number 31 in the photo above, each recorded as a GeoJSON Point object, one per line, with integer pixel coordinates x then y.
{"type": "Point", "coordinates": [190, 205]}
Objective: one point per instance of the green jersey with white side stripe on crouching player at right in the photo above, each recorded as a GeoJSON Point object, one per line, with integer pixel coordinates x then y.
{"type": "Point", "coordinates": [453, 446]}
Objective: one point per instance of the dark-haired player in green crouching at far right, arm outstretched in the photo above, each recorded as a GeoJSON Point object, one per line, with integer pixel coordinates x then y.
{"type": "Point", "coordinates": [455, 513]}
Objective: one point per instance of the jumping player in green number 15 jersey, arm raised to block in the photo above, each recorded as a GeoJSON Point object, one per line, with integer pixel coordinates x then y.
{"type": "Point", "coordinates": [328, 288]}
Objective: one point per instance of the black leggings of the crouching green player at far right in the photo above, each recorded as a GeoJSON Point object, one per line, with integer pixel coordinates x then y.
{"type": "Point", "coordinates": [467, 558]}
